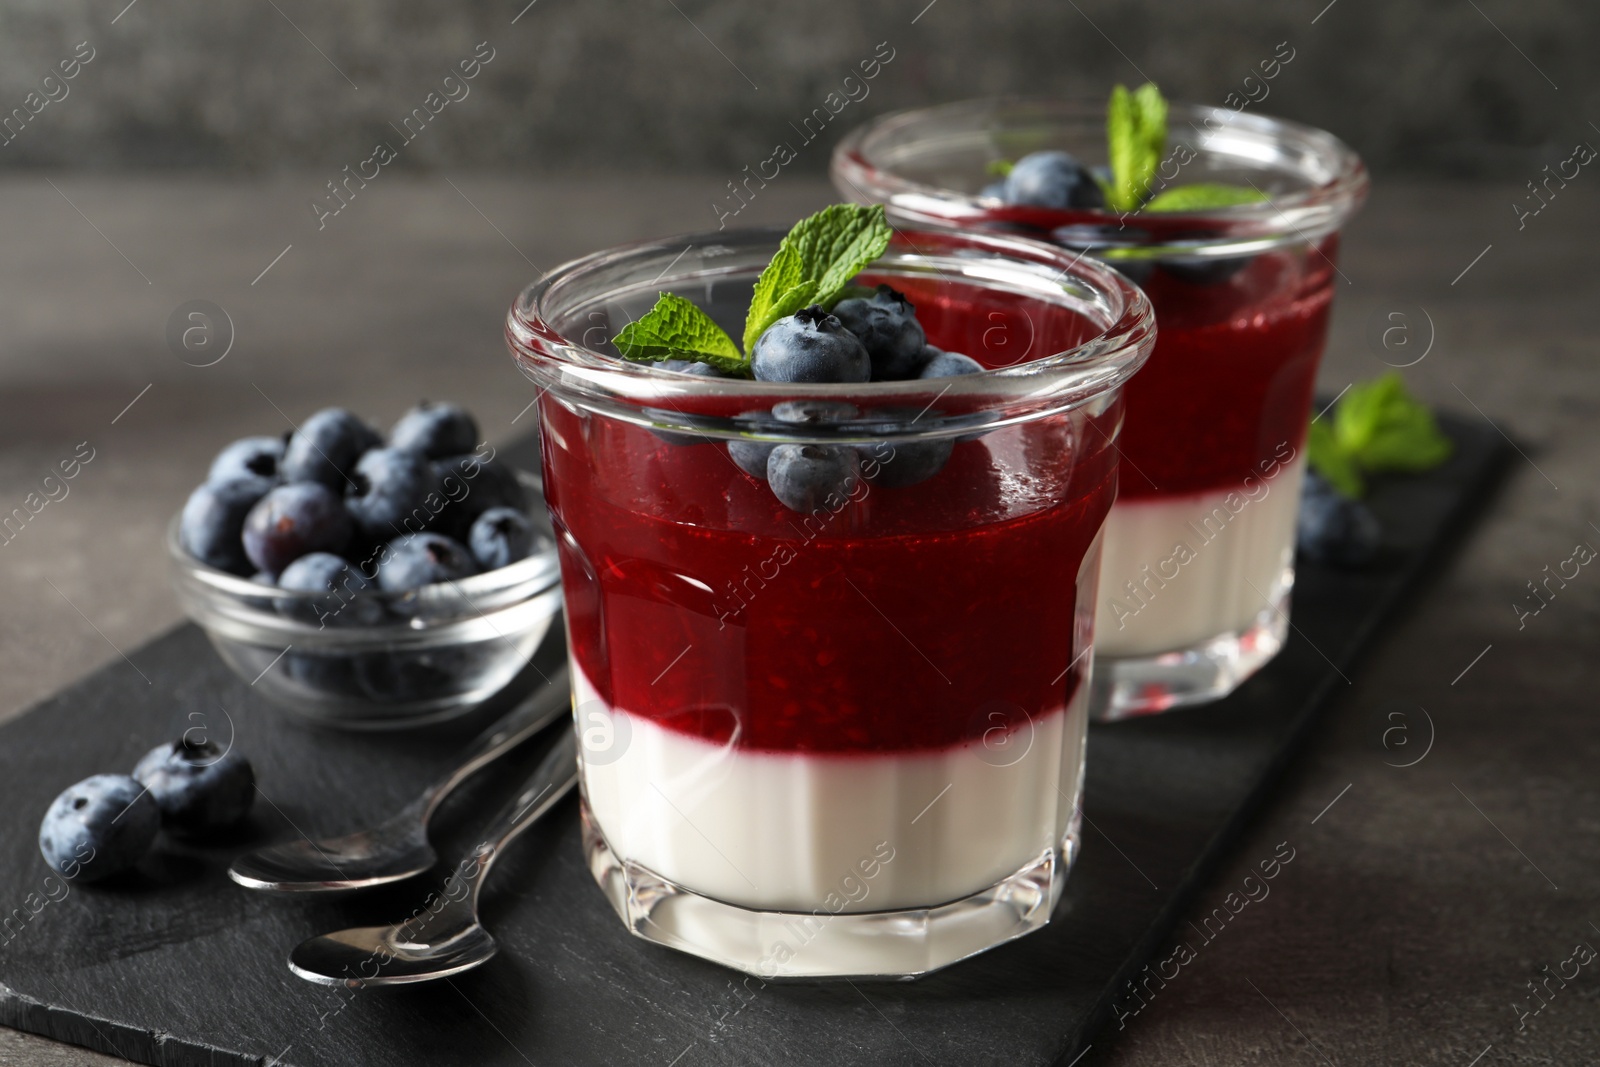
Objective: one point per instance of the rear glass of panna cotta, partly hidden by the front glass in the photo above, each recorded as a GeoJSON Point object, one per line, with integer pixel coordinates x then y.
{"type": "Point", "coordinates": [1199, 551]}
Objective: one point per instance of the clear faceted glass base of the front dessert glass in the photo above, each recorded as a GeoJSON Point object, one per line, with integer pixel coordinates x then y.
{"type": "Point", "coordinates": [900, 945]}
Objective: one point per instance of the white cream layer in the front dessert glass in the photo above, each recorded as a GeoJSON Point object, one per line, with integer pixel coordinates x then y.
{"type": "Point", "coordinates": [850, 834]}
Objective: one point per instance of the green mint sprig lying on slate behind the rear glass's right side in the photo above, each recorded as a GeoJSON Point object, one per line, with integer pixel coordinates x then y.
{"type": "Point", "coordinates": [1377, 428]}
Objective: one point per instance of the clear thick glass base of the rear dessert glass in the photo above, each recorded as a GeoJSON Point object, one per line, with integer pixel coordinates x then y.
{"type": "Point", "coordinates": [1146, 685]}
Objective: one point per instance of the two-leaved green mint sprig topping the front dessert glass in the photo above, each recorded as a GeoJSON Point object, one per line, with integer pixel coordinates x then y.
{"type": "Point", "coordinates": [814, 265]}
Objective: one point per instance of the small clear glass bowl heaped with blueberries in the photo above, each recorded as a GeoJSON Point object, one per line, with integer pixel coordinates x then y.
{"type": "Point", "coordinates": [369, 583]}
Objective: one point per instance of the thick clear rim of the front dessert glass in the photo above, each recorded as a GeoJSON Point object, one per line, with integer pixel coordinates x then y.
{"type": "Point", "coordinates": [660, 399]}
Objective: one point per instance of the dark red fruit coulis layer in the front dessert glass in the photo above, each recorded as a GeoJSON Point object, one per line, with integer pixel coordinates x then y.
{"type": "Point", "coordinates": [911, 620]}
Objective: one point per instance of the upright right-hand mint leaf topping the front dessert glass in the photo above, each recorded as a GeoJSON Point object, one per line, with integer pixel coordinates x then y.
{"type": "Point", "coordinates": [815, 263]}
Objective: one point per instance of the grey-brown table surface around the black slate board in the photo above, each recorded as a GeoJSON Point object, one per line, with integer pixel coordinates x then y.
{"type": "Point", "coordinates": [1423, 900]}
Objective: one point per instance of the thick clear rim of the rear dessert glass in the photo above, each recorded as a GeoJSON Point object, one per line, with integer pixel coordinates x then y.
{"type": "Point", "coordinates": [1338, 196]}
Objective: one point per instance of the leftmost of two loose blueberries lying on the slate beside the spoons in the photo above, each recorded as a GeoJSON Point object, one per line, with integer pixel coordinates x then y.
{"type": "Point", "coordinates": [98, 828]}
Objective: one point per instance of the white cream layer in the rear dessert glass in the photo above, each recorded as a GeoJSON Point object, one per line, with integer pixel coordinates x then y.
{"type": "Point", "coordinates": [1180, 570]}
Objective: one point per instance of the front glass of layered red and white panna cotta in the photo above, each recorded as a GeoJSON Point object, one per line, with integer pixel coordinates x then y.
{"type": "Point", "coordinates": [844, 740]}
